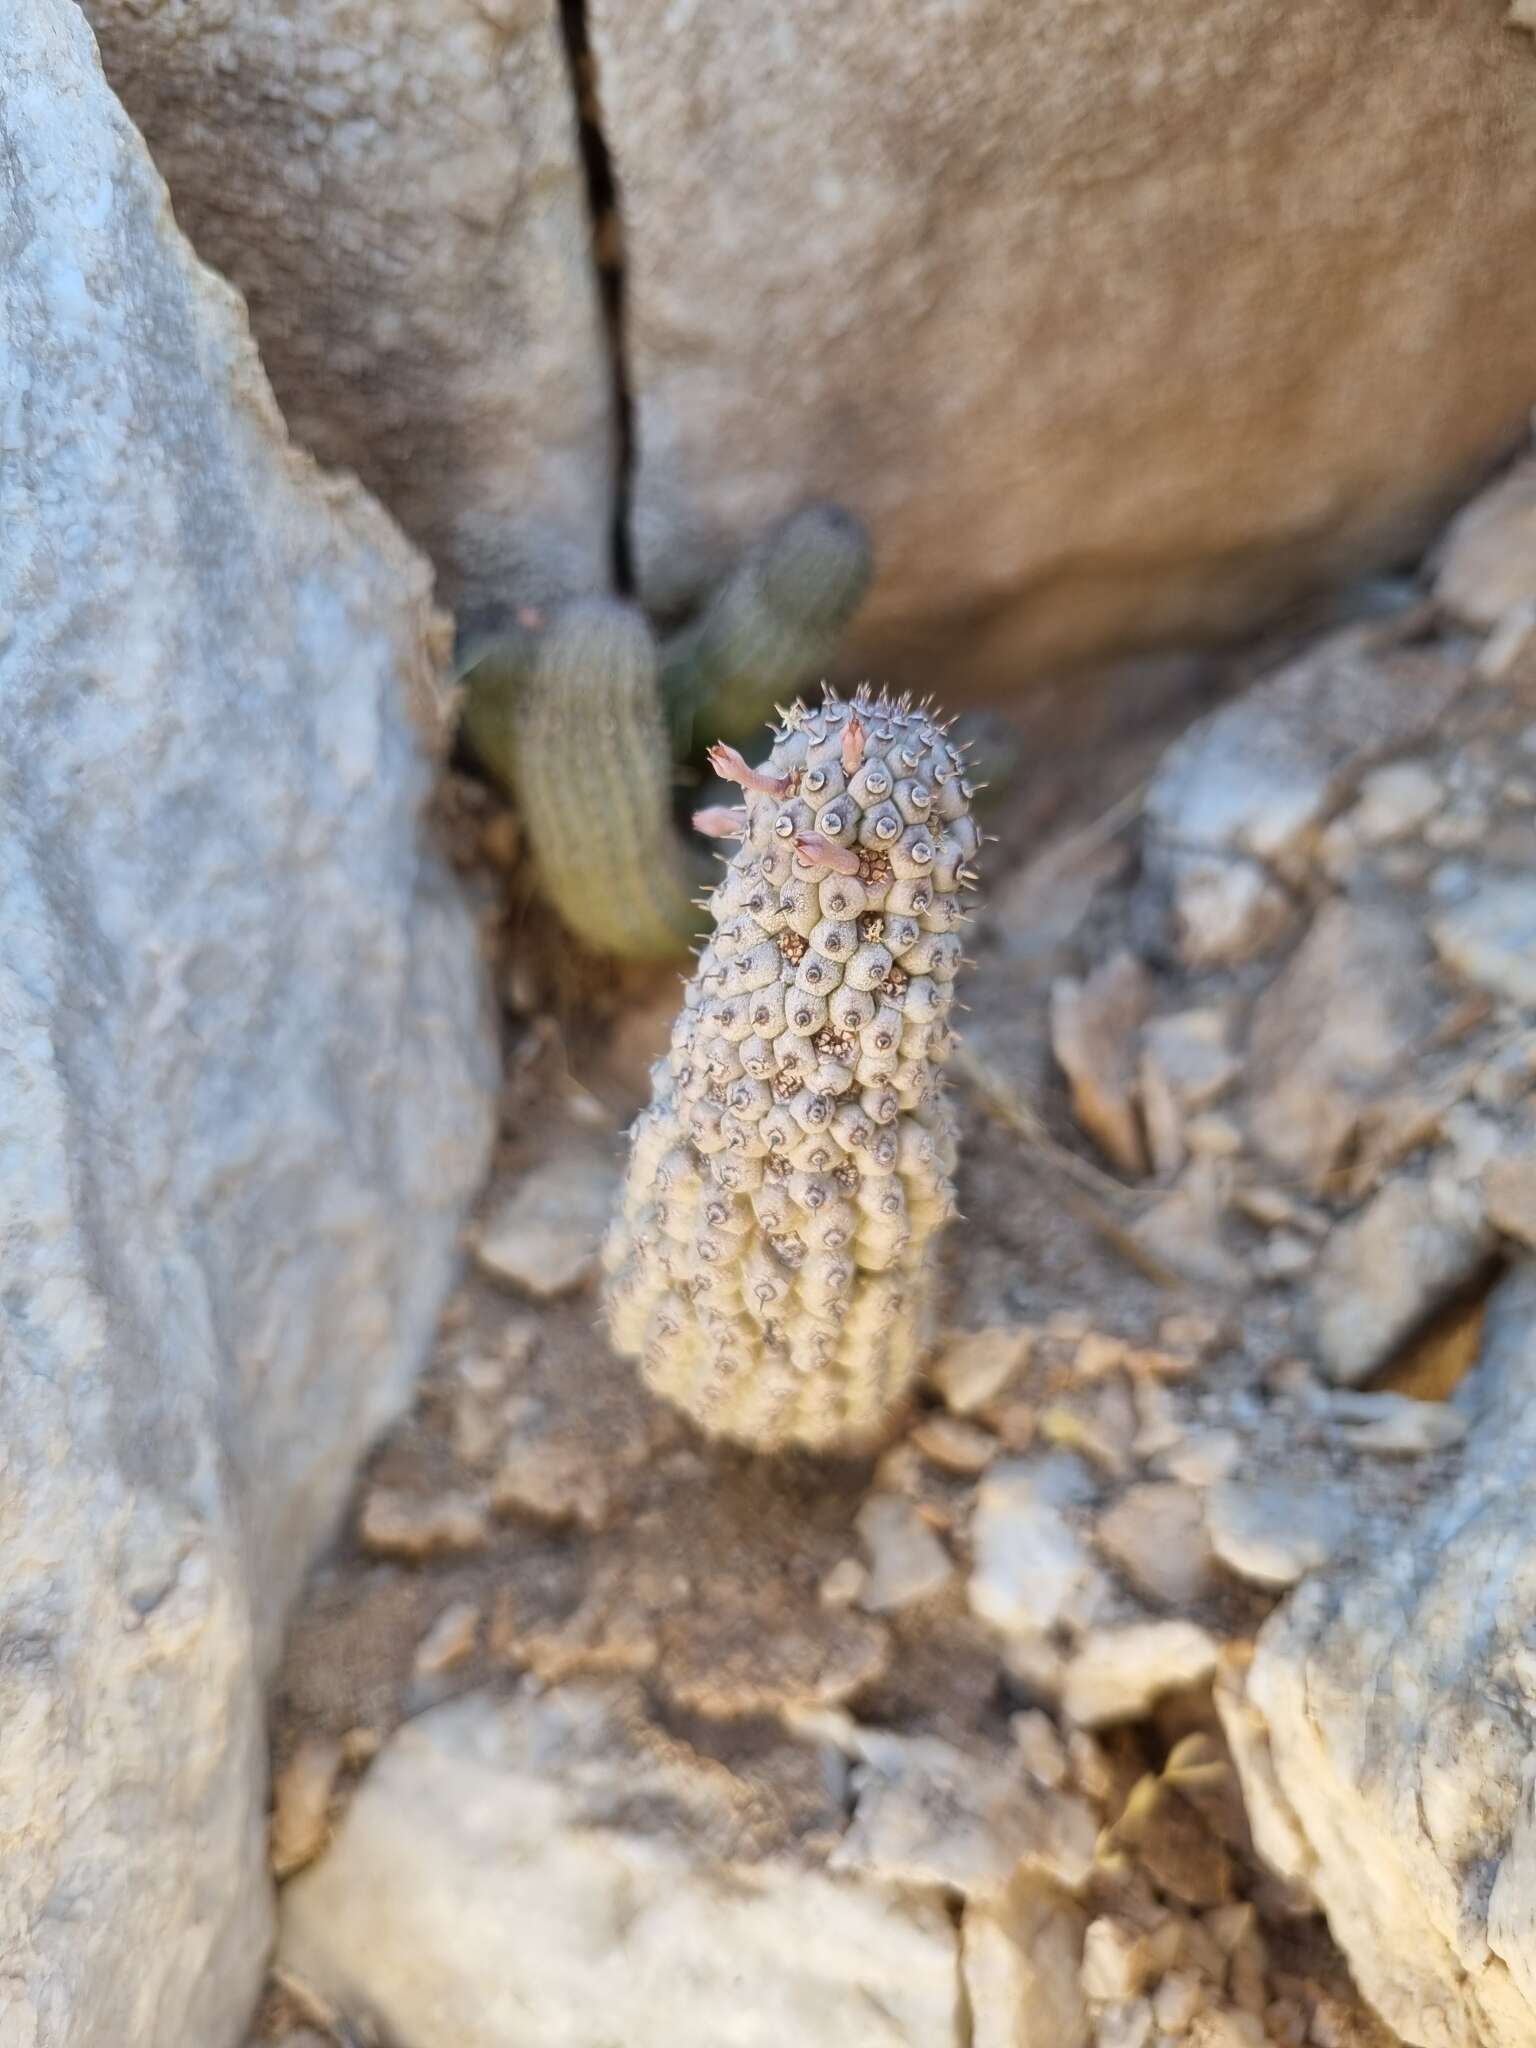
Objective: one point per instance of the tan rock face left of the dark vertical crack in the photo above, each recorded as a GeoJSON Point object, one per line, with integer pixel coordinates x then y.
{"type": "Point", "coordinates": [398, 196]}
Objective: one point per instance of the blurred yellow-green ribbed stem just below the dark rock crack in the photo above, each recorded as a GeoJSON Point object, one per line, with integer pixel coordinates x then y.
{"type": "Point", "coordinates": [572, 724]}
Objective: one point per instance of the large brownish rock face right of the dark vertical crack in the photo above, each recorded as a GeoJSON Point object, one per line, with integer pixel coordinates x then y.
{"type": "Point", "coordinates": [873, 198]}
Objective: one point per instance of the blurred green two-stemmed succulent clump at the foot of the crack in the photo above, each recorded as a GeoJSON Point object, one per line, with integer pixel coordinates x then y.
{"type": "Point", "coordinates": [591, 726]}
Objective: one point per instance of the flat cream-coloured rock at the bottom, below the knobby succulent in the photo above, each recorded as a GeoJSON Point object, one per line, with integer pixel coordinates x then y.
{"type": "Point", "coordinates": [534, 1871]}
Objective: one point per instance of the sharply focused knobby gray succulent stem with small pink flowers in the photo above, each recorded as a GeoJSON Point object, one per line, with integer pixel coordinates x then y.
{"type": "Point", "coordinates": [773, 1258]}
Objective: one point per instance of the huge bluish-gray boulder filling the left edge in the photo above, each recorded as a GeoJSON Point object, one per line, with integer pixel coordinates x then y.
{"type": "Point", "coordinates": [245, 1080]}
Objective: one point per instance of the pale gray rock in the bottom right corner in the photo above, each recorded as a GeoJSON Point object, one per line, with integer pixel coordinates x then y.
{"type": "Point", "coordinates": [1388, 1732]}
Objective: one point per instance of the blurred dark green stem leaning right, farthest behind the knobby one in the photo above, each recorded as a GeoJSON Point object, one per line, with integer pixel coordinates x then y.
{"type": "Point", "coordinates": [769, 630]}
